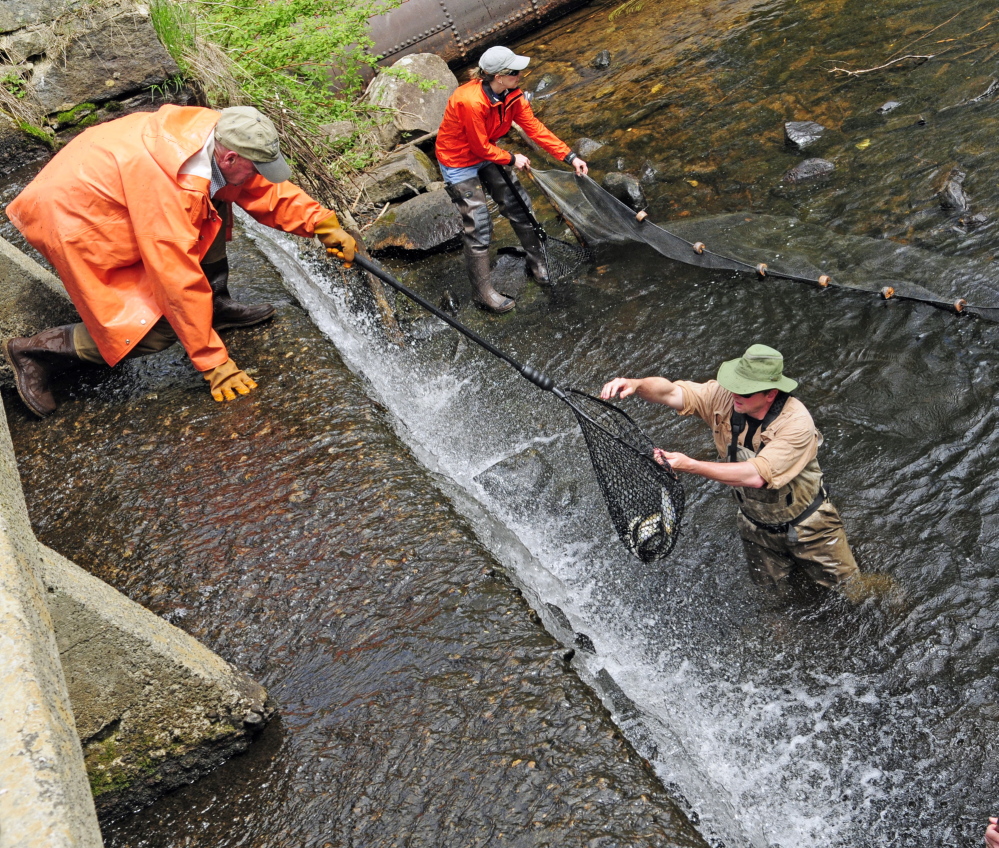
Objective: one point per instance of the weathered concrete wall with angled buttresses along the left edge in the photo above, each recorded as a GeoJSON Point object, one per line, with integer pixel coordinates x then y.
{"type": "Point", "coordinates": [154, 709]}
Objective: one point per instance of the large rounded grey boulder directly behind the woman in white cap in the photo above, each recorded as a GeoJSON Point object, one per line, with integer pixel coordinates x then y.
{"type": "Point", "coordinates": [413, 111]}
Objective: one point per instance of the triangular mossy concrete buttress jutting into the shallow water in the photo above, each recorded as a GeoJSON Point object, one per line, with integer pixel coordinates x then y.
{"type": "Point", "coordinates": [155, 709]}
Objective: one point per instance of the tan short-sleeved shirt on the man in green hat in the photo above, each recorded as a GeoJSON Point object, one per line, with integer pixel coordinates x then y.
{"type": "Point", "coordinates": [785, 447]}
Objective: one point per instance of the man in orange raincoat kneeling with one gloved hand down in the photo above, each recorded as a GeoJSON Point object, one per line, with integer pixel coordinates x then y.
{"type": "Point", "coordinates": [133, 215]}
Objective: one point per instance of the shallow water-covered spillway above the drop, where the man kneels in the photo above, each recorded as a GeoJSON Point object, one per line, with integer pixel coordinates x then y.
{"type": "Point", "coordinates": [419, 700]}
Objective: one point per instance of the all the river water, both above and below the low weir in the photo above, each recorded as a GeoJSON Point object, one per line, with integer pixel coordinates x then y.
{"type": "Point", "coordinates": [776, 722]}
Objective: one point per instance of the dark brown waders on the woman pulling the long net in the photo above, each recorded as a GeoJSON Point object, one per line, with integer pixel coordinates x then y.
{"type": "Point", "coordinates": [477, 230]}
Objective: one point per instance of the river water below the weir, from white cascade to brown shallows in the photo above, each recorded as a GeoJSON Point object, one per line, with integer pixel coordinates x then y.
{"type": "Point", "coordinates": [815, 721]}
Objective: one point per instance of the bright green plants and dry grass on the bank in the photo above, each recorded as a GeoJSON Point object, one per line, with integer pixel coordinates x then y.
{"type": "Point", "coordinates": [299, 61]}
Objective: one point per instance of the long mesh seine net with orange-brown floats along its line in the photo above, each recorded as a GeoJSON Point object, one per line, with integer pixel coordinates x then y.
{"type": "Point", "coordinates": [780, 248]}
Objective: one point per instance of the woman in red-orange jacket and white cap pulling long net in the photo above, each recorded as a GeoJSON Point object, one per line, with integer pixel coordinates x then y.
{"type": "Point", "coordinates": [478, 114]}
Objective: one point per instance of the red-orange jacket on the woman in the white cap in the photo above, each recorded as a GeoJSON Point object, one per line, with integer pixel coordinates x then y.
{"type": "Point", "coordinates": [473, 124]}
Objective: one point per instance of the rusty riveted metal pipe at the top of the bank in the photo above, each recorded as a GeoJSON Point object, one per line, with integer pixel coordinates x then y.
{"type": "Point", "coordinates": [458, 30]}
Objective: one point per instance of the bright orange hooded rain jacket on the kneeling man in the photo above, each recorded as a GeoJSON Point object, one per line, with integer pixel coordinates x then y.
{"type": "Point", "coordinates": [126, 232]}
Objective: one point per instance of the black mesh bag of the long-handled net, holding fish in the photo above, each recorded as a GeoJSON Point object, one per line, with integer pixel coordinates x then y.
{"type": "Point", "coordinates": [645, 499]}
